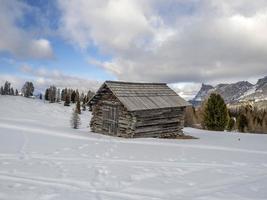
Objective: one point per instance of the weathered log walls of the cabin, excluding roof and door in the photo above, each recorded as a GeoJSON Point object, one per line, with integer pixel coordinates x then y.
{"type": "Point", "coordinates": [166, 122]}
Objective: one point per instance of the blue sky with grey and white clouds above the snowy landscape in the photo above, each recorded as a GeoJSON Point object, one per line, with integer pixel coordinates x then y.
{"type": "Point", "coordinates": [81, 43]}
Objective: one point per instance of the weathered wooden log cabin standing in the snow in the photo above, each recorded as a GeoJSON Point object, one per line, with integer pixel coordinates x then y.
{"type": "Point", "coordinates": [129, 110]}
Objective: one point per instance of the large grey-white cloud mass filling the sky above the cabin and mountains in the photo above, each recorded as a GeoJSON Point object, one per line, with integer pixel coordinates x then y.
{"type": "Point", "coordinates": [172, 41]}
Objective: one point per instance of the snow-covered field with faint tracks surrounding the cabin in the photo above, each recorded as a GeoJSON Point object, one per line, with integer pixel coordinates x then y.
{"type": "Point", "coordinates": [42, 158]}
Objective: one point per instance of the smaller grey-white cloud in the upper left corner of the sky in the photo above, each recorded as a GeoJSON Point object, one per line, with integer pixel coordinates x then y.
{"type": "Point", "coordinates": [14, 39]}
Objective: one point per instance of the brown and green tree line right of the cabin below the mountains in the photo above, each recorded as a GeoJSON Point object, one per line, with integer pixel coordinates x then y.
{"type": "Point", "coordinates": [213, 114]}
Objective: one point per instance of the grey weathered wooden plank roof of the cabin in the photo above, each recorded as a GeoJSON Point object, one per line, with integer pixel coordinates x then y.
{"type": "Point", "coordinates": [145, 96]}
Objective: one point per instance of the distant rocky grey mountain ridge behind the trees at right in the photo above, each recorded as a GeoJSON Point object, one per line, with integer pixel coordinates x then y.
{"type": "Point", "coordinates": [234, 92]}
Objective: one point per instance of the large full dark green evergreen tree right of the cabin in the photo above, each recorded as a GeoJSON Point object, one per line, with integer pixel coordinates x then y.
{"type": "Point", "coordinates": [215, 113]}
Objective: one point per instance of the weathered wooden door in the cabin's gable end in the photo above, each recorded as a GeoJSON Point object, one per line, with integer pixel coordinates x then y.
{"type": "Point", "coordinates": [110, 119]}
